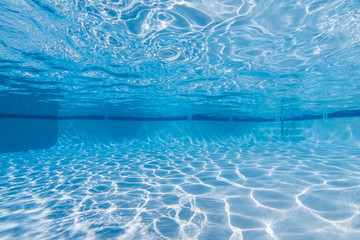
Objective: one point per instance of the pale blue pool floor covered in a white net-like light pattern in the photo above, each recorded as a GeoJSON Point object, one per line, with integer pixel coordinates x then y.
{"type": "Point", "coordinates": [161, 190]}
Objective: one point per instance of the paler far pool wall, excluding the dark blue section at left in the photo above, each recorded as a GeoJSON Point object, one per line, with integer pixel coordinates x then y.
{"type": "Point", "coordinates": [344, 130]}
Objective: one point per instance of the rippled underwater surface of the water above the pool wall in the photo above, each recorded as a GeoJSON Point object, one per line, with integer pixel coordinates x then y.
{"type": "Point", "coordinates": [168, 58]}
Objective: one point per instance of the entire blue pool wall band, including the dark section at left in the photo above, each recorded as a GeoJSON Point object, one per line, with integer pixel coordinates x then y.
{"type": "Point", "coordinates": [31, 134]}
